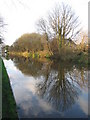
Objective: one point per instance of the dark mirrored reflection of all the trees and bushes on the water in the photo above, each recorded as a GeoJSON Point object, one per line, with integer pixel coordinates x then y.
{"type": "Point", "coordinates": [59, 84]}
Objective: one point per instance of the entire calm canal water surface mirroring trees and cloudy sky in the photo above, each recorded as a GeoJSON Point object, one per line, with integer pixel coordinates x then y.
{"type": "Point", "coordinates": [48, 89]}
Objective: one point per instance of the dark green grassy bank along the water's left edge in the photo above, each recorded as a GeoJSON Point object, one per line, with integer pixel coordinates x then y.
{"type": "Point", "coordinates": [8, 102]}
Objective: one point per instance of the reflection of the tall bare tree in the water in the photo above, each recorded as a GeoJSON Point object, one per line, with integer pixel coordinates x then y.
{"type": "Point", "coordinates": [61, 86]}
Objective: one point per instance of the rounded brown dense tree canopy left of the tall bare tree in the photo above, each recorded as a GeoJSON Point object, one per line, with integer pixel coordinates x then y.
{"type": "Point", "coordinates": [28, 42]}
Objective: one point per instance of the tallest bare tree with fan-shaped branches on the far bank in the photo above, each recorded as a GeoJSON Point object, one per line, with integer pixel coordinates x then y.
{"type": "Point", "coordinates": [64, 23]}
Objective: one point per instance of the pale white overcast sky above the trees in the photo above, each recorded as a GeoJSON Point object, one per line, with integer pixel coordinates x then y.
{"type": "Point", "coordinates": [22, 18]}
